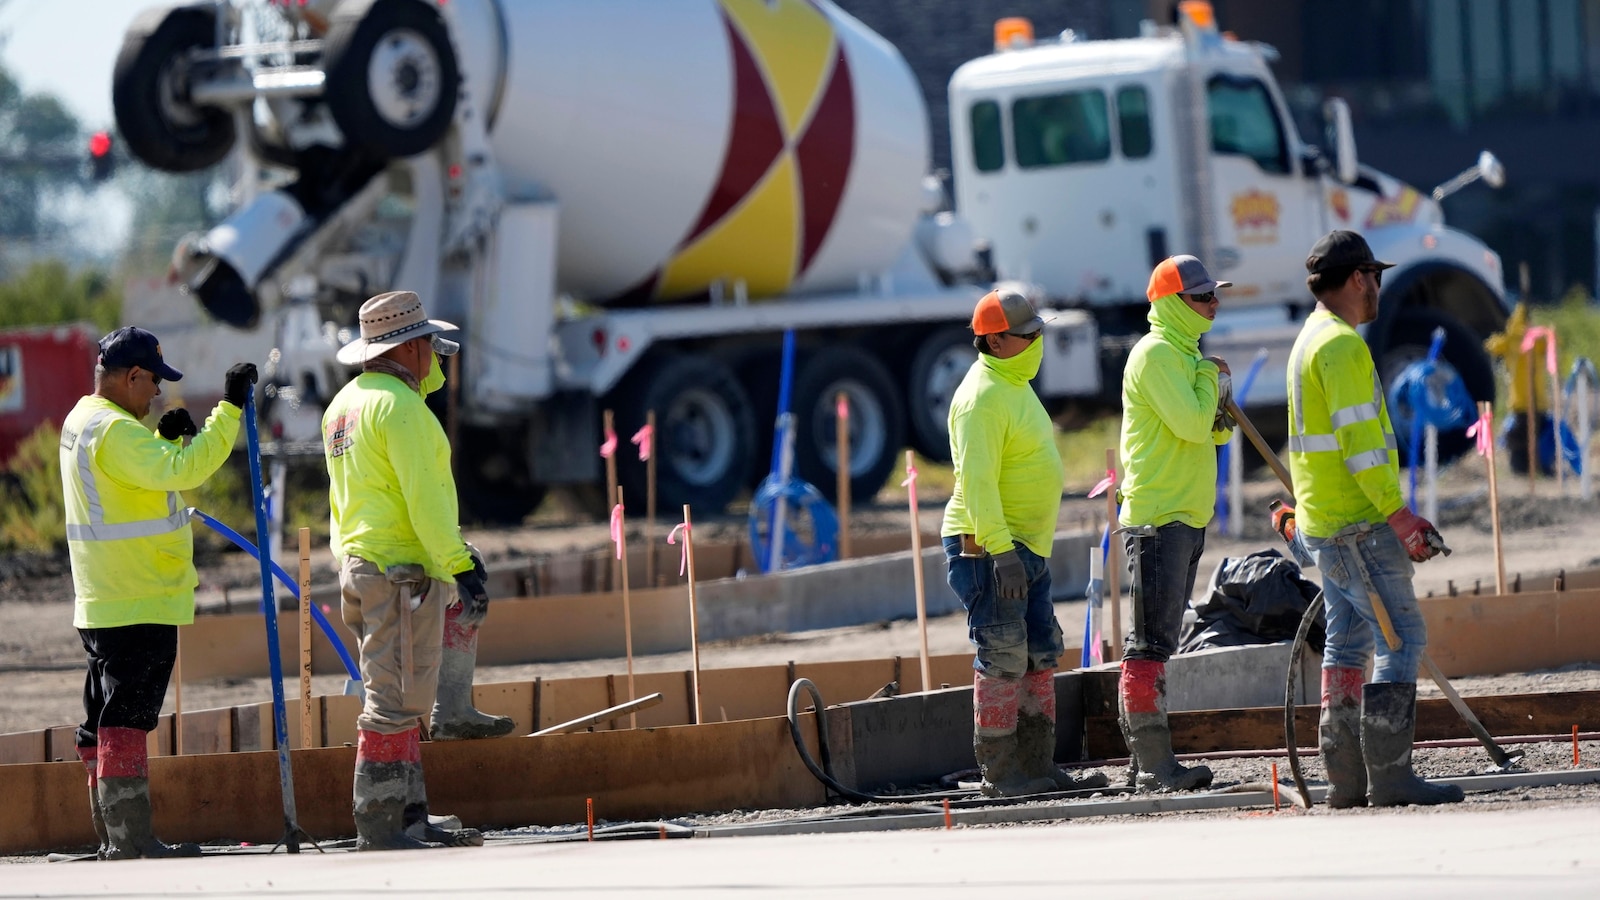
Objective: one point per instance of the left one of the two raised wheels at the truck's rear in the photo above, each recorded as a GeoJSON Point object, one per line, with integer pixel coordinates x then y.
{"type": "Point", "coordinates": [150, 92]}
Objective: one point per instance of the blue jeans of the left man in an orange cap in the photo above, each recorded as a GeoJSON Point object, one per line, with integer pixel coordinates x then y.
{"type": "Point", "coordinates": [1014, 638]}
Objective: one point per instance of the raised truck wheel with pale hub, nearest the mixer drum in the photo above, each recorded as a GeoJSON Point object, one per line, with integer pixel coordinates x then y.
{"type": "Point", "coordinates": [391, 76]}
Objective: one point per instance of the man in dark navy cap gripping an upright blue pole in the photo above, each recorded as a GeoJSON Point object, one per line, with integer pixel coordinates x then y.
{"type": "Point", "coordinates": [134, 573]}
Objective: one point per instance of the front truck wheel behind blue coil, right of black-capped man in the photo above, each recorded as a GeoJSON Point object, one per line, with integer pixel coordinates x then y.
{"type": "Point", "coordinates": [1409, 339]}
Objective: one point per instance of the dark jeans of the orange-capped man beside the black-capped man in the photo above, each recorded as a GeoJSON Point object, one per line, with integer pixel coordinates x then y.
{"type": "Point", "coordinates": [1166, 579]}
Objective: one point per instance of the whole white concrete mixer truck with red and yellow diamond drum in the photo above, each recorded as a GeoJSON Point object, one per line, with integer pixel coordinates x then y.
{"type": "Point", "coordinates": [628, 204]}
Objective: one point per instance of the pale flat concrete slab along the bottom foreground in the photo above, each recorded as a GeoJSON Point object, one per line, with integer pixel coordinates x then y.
{"type": "Point", "coordinates": [1462, 854]}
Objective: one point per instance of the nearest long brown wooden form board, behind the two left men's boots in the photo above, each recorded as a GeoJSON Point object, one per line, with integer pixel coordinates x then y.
{"type": "Point", "coordinates": [490, 784]}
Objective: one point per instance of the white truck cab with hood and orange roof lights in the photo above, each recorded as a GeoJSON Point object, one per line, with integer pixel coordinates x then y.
{"type": "Point", "coordinates": [1086, 163]}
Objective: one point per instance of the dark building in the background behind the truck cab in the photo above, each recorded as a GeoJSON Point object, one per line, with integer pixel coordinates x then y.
{"type": "Point", "coordinates": [1430, 84]}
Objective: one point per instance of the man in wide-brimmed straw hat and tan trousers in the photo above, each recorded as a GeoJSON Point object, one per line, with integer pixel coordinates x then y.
{"type": "Point", "coordinates": [402, 561]}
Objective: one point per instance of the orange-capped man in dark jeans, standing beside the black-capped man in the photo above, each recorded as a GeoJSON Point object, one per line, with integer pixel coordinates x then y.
{"type": "Point", "coordinates": [1172, 422]}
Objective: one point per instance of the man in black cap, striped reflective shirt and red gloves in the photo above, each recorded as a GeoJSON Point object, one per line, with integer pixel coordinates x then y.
{"type": "Point", "coordinates": [1354, 523]}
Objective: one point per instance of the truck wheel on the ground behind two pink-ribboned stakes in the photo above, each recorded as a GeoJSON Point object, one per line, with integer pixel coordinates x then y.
{"type": "Point", "coordinates": [705, 433]}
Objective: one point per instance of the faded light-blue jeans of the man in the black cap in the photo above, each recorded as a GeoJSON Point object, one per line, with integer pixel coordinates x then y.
{"type": "Point", "coordinates": [1353, 627]}
